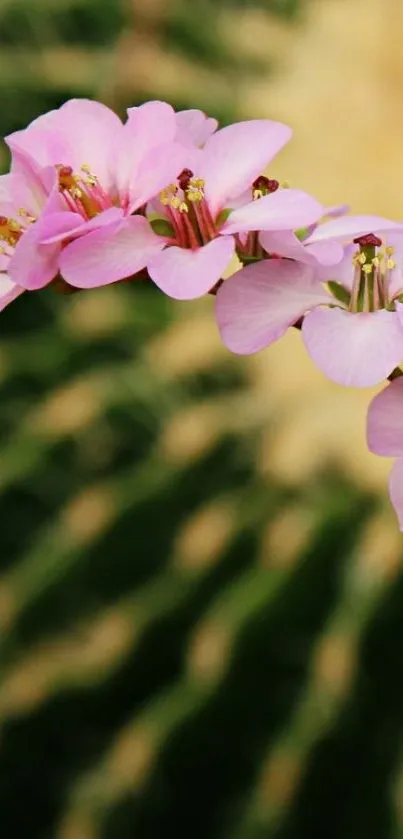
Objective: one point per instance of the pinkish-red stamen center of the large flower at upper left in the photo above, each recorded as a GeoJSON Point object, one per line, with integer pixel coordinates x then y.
{"type": "Point", "coordinates": [82, 192]}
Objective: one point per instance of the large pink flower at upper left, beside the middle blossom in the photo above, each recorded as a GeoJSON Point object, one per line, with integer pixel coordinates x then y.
{"type": "Point", "coordinates": [106, 172]}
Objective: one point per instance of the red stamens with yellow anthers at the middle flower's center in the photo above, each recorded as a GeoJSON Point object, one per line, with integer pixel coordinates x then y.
{"type": "Point", "coordinates": [188, 211]}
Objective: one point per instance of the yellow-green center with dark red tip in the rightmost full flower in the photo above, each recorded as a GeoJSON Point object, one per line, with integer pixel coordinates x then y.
{"type": "Point", "coordinates": [372, 267]}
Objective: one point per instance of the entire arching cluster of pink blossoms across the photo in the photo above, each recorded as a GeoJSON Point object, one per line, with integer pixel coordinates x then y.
{"type": "Point", "coordinates": [90, 200]}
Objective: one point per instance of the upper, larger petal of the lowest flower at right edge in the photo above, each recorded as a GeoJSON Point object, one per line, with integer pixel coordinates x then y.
{"type": "Point", "coordinates": [385, 421]}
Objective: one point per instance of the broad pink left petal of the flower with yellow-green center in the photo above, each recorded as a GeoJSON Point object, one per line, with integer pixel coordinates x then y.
{"type": "Point", "coordinates": [256, 305]}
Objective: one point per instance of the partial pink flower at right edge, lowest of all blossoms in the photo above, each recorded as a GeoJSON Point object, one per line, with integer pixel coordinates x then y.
{"type": "Point", "coordinates": [385, 437]}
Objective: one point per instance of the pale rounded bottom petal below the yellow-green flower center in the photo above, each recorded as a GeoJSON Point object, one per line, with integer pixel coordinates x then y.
{"type": "Point", "coordinates": [357, 350]}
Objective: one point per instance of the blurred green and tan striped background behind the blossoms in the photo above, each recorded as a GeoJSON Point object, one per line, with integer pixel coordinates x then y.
{"type": "Point", "coordinates": [201, 588]}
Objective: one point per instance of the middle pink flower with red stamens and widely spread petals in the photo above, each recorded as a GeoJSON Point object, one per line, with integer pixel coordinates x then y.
{"type": "Point", "coordinates": [205, 227]}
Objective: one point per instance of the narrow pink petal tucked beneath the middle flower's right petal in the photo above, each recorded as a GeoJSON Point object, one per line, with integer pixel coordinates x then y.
{"type": "Point", "coordinates": [286, 243]}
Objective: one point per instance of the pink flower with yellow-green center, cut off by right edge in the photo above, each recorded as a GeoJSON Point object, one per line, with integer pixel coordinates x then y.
{"type": "Point", "coordinates": [352, 328]}
